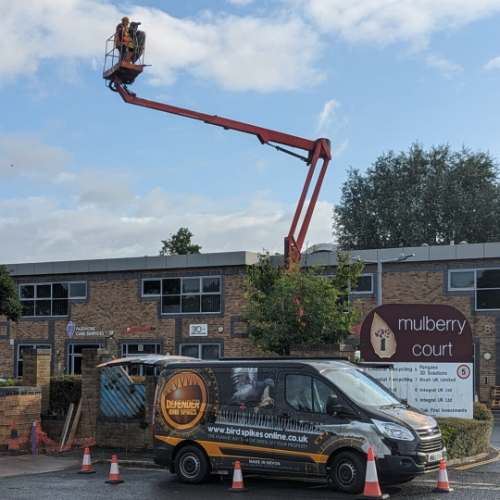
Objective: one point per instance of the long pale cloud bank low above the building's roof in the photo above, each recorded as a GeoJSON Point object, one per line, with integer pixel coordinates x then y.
{"type": "Point", "coordinates": [40, 229]}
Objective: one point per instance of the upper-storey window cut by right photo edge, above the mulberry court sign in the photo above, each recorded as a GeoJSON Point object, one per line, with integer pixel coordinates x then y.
{"type": "Point", "coordinates": [485, 283]}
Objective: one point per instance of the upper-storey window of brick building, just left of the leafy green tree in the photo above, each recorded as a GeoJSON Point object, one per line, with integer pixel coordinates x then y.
{"type": "Point", "coordinates": [185, 295]}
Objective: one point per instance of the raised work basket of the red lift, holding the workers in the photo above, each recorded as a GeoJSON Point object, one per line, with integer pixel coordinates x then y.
{"type": "Point", "coordinates": [127, 68]}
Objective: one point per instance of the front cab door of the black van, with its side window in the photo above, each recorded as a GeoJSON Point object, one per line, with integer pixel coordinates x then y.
{"type": "Point", "coordinates": [306, 432]}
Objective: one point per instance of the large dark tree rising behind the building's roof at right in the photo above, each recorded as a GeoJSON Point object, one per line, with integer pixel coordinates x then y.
{"type": "Point", "coordinates": [408, 199]}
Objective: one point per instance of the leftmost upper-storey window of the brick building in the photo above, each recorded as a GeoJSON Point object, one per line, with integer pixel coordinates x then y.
{"type": "Point", "coordinates": [50, 299]}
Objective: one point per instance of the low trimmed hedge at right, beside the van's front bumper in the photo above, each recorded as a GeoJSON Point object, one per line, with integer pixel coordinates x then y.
{"type": "Point", "coordinates": [465, 437]}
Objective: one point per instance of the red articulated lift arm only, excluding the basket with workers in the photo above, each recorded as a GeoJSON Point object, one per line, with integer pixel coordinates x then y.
{"type": "Point", "coordinates": [319, 149]}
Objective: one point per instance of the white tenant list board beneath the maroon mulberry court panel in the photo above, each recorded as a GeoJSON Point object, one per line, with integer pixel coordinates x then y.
{"type": "Point", "coordinates": [438, 389]}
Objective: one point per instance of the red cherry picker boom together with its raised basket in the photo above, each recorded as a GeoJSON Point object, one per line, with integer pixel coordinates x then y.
{"type": "Point", "coordinates": [122, 73]}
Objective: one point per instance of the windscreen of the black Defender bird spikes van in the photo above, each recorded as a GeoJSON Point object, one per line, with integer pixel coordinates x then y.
{"type": "Point", "coordinates": [362, 389]}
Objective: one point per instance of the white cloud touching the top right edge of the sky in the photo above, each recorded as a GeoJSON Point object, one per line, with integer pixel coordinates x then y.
{"type": "Point", "coordinates": [387, 21]}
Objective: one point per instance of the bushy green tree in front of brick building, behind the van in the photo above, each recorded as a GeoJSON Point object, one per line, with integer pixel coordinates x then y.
{"type": "Point", "coordinates": [299, 305]}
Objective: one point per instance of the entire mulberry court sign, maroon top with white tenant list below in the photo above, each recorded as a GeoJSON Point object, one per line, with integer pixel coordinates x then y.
{"type": "Point", "coordinates": [431, 350]}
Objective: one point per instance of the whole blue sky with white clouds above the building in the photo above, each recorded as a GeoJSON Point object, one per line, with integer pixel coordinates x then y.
{"type": "Point", "coordinates": [83, 175]}
